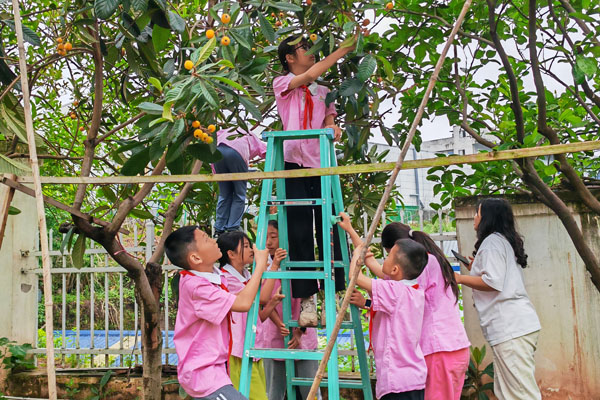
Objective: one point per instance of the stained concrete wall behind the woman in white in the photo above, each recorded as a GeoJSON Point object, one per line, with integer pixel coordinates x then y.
{"type": "Point", "coordinates": [567, 303]}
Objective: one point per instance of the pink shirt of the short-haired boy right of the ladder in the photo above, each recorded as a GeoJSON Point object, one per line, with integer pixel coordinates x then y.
{"type": "Point", "coordinates": [399, 362]}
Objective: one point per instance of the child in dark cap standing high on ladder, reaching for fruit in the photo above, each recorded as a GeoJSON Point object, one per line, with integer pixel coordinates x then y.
{"type": "Point", "coordinates": [301, 105]}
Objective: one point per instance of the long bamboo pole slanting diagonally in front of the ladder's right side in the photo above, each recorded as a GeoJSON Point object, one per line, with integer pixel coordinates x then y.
{"type": "Point", "coordinates": [354, 270]}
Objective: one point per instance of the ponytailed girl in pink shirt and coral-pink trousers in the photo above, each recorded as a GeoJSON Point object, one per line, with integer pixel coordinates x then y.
{"type": "Point", "coordinates": [443, 341]}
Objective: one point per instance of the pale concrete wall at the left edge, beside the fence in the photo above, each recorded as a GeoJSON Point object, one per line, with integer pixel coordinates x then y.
{"type": "Point", "coordinates": [19, 291]}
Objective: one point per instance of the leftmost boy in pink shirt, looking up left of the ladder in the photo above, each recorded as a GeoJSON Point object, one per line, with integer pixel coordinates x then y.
{"type": "Point", "coordinates": [202, 330]}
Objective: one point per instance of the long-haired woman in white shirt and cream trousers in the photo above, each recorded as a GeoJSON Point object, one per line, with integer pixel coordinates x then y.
{"type": "Point", "coordinates": [508, 319]}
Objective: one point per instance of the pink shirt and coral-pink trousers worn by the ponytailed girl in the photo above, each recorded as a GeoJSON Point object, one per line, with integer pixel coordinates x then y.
{"type": "Point", "coordinates": [442, 336]}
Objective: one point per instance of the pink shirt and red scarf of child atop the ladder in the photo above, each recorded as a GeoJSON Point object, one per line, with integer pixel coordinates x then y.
{"type": "Point", "coordinates": [294, 114]}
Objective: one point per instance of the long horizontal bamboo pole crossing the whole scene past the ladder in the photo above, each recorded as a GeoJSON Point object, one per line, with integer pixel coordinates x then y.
{"type": "Point", "coordinates": [489, 156]}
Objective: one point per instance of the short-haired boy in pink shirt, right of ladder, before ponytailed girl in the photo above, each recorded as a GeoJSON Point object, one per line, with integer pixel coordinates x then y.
{"type": "Point", "coordinates": [399, 304]}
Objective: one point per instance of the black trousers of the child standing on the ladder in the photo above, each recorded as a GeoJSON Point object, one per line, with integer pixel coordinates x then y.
{"type": "Point", "coordinates": [301, 232]}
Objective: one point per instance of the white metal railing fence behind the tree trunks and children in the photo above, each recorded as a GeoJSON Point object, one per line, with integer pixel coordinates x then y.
{"type": "Point", "coordinates": [84, 345]}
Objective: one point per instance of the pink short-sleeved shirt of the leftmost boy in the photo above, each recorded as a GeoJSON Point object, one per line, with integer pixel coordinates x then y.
{"type": "Point", "coordinates": [202, 332]}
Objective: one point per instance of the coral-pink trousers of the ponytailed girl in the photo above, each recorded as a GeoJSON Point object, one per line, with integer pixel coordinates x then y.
{"type": "Point", "coordinates": [446, 374]}
